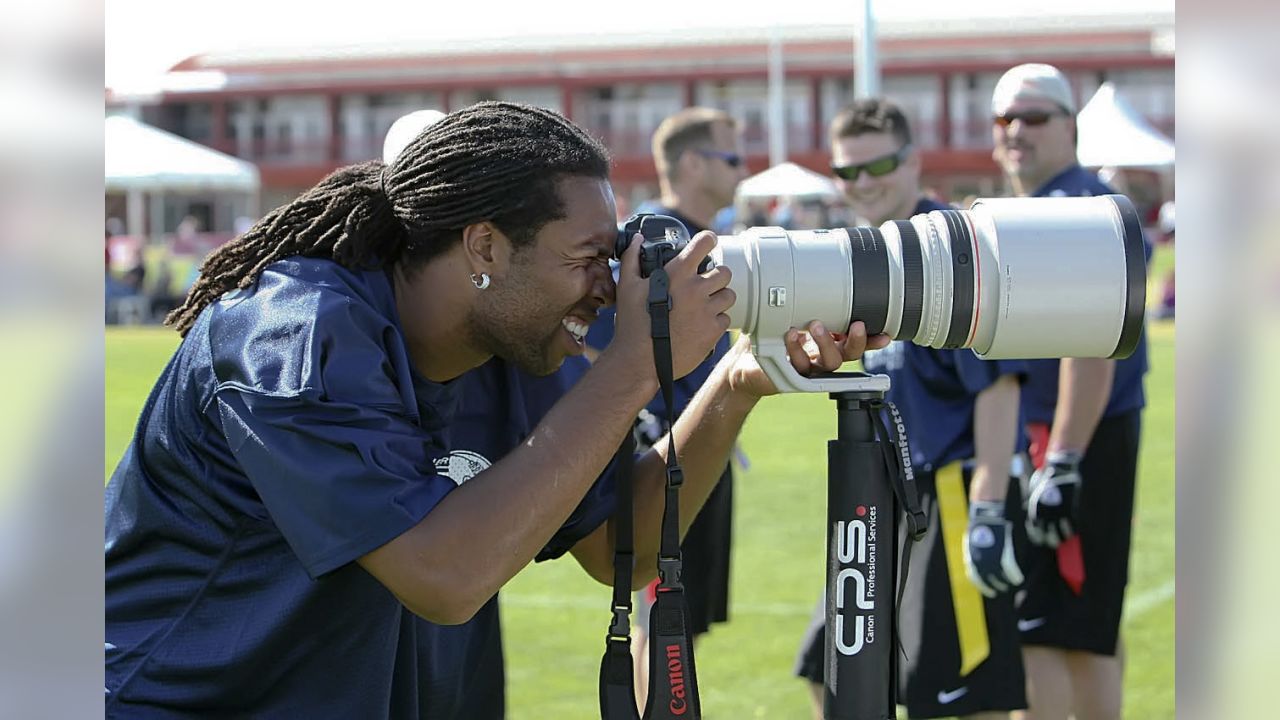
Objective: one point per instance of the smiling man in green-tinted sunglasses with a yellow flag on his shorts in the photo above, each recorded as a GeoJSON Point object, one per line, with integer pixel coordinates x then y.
{"type": "Point", "coordinates": [962, 422]}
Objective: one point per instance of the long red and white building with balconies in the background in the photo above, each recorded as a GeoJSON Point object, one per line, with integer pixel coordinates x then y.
{"type": "Point", "coordinates": [299, 116]}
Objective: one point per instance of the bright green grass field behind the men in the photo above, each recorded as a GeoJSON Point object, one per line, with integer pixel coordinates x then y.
{"type": "Point", "coordinates": [555, 612]}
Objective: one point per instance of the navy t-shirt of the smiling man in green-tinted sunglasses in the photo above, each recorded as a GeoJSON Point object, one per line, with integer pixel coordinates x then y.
{"type": "Point", "coordinates": [936, 391]}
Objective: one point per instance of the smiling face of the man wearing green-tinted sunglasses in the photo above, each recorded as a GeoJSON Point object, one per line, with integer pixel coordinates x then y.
{"type": "Point", "coordinates": [879, 199]}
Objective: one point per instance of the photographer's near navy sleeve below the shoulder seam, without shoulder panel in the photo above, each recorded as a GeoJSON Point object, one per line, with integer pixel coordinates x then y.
{"type": "Point", "coordinates": [339, 480]}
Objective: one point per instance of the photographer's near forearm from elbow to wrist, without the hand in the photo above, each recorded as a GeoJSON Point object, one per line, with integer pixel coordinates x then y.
{"type": "Point", "coordinates": [488, 530]}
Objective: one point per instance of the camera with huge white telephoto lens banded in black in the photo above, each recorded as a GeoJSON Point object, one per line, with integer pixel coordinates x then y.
{"type": "Point", "coordinates": [1027, 277]}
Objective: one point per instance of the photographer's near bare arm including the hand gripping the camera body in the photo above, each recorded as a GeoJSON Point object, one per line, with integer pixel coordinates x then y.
{"type": "Point", "coordinates": [479, 536]}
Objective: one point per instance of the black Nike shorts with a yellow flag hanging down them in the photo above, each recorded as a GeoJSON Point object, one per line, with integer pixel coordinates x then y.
{"type": "Point", "coordinates": [948, 671]}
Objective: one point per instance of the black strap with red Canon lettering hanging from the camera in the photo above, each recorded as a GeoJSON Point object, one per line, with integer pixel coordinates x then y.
{"type": "Point", "coordinates": [673, 680]}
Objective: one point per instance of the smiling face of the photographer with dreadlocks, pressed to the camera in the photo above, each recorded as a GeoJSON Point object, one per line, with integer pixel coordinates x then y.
{"type": "Point", "coordinates": [537, 312]}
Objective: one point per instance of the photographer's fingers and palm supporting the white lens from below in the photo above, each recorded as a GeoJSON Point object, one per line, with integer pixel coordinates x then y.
{"type": "Point", "coordinates": [813, 350]}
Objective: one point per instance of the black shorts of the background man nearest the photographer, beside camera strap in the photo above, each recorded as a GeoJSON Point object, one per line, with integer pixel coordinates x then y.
{"type": "Point", "coordinates": [705, 553]}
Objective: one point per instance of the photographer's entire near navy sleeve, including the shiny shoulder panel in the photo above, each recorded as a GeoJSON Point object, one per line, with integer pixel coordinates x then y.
{"type": "Point", "coordinates": [319, 407]}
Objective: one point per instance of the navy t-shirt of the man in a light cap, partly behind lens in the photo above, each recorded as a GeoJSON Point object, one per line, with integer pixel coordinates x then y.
{"type": "Point", "coordinates": [1040, 394]}
